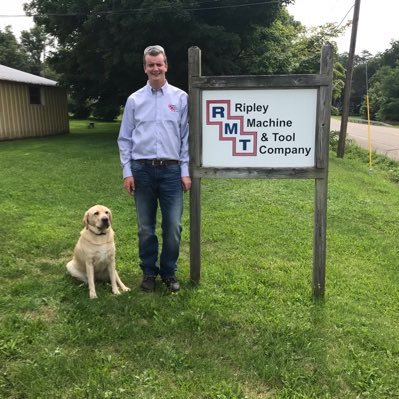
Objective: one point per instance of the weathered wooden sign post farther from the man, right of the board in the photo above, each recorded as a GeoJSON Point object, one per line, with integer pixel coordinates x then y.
{"type": "Point", "coordinates": [322, 144]}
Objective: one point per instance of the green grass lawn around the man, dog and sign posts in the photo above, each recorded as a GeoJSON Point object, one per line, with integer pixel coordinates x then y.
{"type": "Point", "coordinates": [250, 329]}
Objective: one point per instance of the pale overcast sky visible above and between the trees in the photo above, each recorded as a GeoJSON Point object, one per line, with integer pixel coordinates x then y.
{"type": "Point", "coordinates": [377, 20]}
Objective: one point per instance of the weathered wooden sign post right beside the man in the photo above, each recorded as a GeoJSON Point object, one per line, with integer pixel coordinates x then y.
{"type": "Point", "coordinates": [194, 70]}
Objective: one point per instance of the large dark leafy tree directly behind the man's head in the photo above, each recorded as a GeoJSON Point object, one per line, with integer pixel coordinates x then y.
{"type": "Point", "coordinates": [100, 42]}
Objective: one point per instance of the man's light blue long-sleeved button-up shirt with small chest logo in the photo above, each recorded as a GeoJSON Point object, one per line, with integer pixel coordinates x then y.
{"type": "Point", "coordinates": [155, 126]}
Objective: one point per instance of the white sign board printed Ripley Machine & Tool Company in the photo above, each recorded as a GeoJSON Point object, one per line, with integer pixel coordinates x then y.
{"type": "Point", "coordinates": [271, 128]}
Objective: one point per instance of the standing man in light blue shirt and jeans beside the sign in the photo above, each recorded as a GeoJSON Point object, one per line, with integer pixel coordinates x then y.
{"type": "Point", "coordinates": [153, 147]}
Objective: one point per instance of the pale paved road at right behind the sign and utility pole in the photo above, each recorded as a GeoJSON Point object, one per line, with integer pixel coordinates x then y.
{"type": "Point", "coordinates": [384, 140]}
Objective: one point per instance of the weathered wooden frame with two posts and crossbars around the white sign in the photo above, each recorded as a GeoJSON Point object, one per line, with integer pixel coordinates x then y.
{"type": "Point", "coordinates": [319, 172]}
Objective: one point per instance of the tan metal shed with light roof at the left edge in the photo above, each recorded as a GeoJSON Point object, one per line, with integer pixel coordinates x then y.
{"type": "Point", "coordinates": [31, 106]}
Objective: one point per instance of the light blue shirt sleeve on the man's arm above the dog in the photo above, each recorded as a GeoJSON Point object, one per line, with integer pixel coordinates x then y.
{"type": "Point", "coordinates": [125, 142]}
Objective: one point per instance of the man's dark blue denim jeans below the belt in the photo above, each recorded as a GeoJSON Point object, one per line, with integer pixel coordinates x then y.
{"type": "Point", "coordinates": [158, 185]}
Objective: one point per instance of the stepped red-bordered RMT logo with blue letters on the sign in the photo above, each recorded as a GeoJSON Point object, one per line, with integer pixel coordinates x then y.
{"type": "Point", "coordinates": [231, 128]}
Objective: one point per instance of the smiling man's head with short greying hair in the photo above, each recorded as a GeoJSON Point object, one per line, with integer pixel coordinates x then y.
{"type": "Point", "coordinates": [155, 65]}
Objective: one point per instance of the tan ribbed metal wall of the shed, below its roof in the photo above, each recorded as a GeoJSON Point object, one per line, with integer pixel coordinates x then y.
{"type": "Point", "coordinates": [20, 119]}
